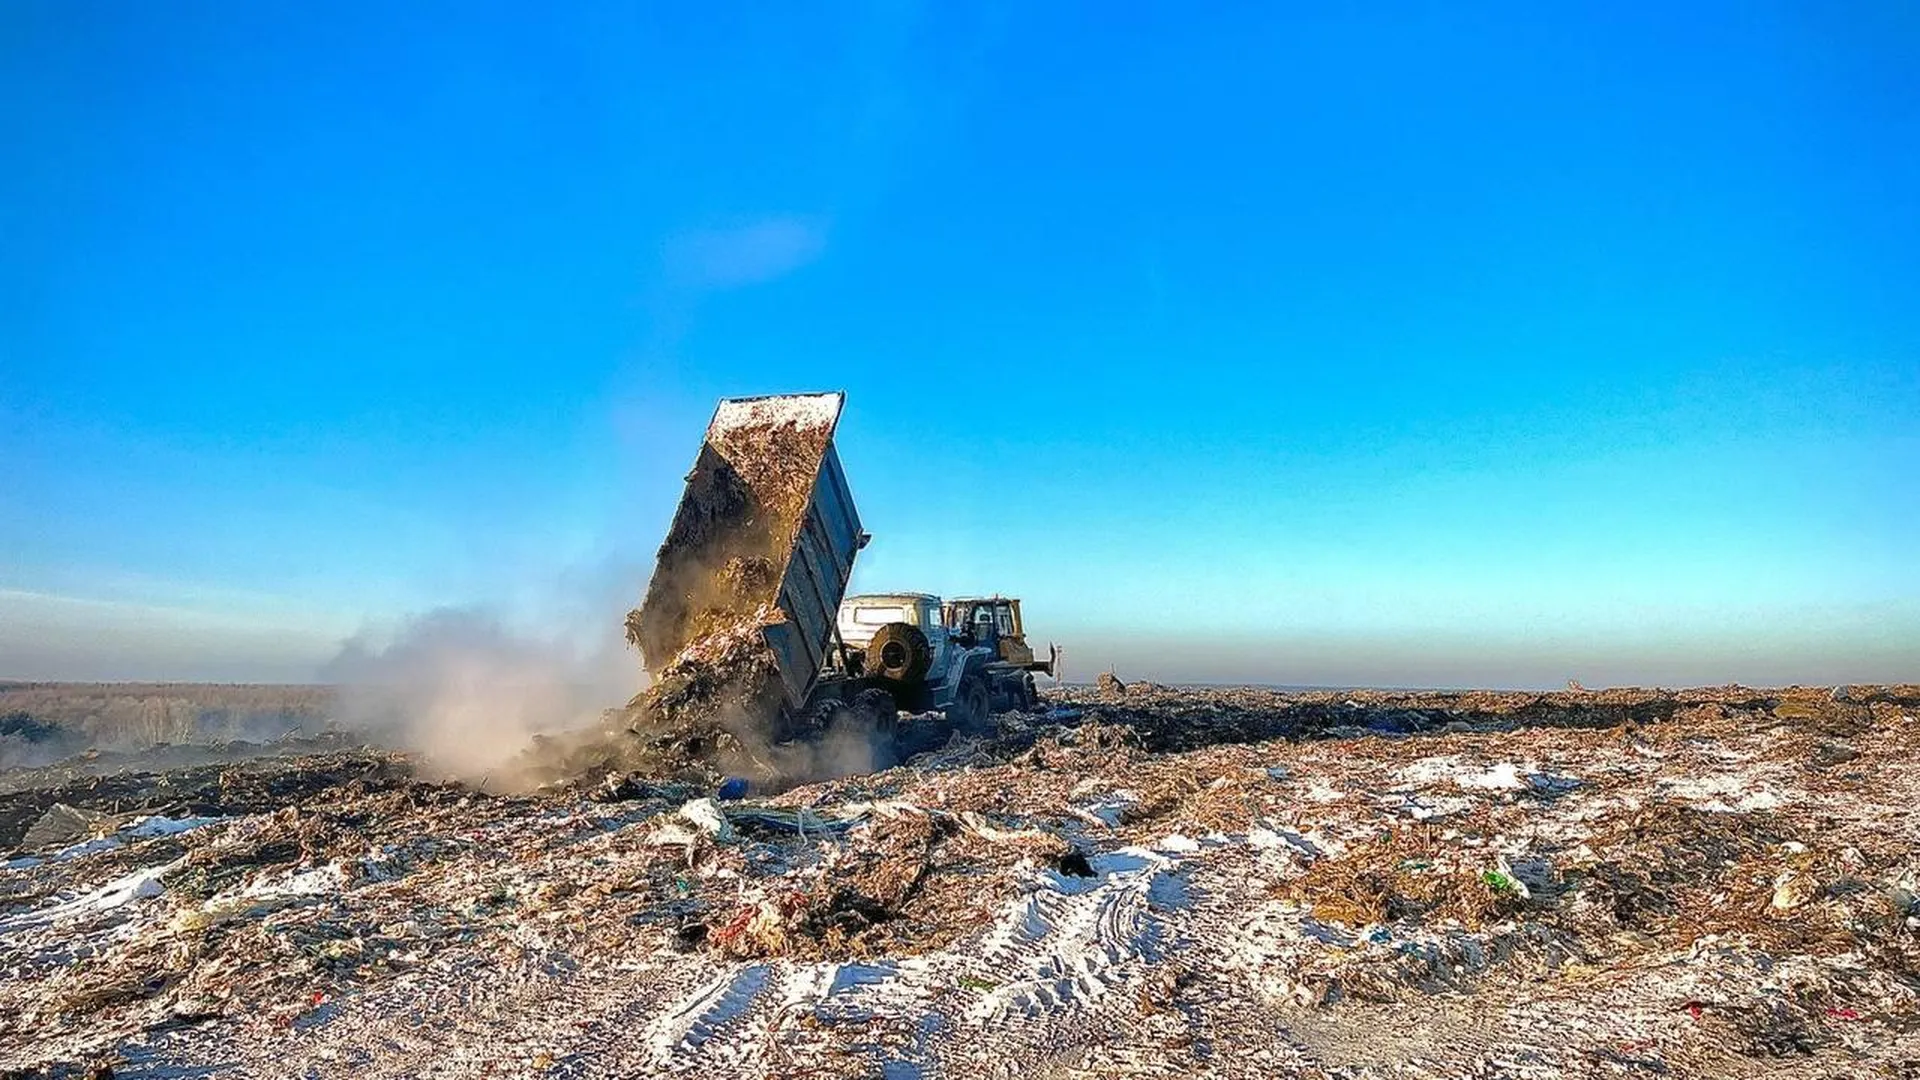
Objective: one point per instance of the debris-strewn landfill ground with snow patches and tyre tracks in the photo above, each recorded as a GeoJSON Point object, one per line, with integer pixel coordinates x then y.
{"type": "Point", "coordinates": [1140, 883]}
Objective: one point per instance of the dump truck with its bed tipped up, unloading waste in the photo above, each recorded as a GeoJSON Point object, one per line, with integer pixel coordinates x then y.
{"type": "Point", "coordinates": [748, 606]}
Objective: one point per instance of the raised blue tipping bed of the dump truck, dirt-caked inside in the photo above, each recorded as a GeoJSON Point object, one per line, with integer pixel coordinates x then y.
{"type": "Point", "coordinates": [763, 541]}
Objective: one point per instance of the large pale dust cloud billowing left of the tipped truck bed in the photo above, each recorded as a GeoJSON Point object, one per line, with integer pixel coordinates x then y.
{"type": "Point", "coordinates": [469, 693]}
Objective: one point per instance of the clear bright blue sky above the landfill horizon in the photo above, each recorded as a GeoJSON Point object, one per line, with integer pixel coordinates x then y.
{"type": "Point", "coordinates": [1247, 343]}
